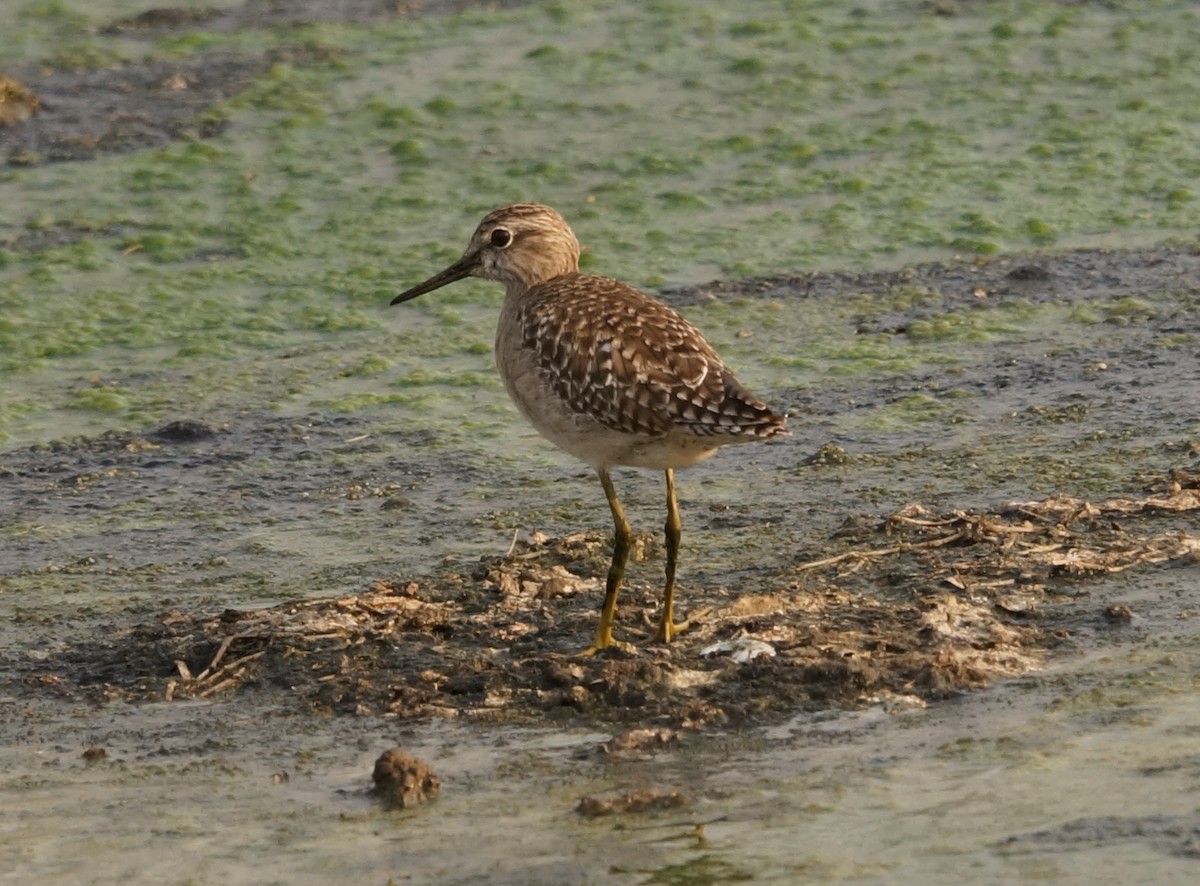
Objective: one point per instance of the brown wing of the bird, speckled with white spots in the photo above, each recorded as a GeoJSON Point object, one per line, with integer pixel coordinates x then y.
{"type": "Point", "coordinates": [634, 364]}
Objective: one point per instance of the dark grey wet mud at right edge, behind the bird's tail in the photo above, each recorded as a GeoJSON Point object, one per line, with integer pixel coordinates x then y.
{"type": "Point", "coordinates": [1137, 366]}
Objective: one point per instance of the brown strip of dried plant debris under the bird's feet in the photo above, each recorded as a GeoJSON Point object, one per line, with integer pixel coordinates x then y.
{"type": "Point", "coordinates": [915, 607]}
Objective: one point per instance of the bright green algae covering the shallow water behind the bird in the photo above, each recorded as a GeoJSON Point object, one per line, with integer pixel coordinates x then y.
{"type": "Point", "coordinates": [896, 134]}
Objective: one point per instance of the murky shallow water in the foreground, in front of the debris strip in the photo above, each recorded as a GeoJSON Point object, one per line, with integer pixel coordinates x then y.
{"type": "Point", "coordinates": [1085, 774]}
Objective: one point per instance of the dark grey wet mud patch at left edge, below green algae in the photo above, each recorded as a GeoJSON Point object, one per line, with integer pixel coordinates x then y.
{"type": "Point", "coordinates": [193, 486]}
